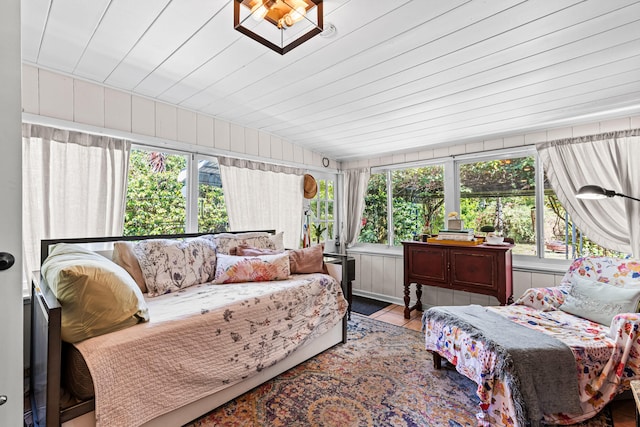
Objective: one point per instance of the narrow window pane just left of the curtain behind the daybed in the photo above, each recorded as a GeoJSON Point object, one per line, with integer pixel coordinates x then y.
{"type": "Point", "coordinates": [212, 211]}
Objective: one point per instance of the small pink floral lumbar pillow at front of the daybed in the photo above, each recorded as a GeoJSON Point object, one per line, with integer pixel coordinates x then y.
{"type": "Point", "coordinates": [263, 268]}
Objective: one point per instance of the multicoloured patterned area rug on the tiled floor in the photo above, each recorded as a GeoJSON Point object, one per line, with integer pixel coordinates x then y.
{"type": "Point", "coordinates": [382, 376]}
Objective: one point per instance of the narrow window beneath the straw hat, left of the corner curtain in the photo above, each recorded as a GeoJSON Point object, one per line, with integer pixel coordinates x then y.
{"type": "Point", "coordinates": [322, 209]}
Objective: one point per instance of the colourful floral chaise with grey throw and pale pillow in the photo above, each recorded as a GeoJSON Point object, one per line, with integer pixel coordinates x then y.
{"type": "Point", "coordinates": [517, 354]}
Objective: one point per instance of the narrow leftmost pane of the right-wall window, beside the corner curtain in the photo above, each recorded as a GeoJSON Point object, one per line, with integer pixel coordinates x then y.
{"type": "Point", "coordinates": [374, 218]}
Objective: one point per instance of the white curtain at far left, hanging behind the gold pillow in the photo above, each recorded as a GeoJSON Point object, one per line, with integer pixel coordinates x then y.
{"type": "Point", "coordinates": [74, 185]}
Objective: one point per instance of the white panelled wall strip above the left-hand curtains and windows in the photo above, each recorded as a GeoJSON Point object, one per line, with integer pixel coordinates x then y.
{"type": "Point", "coordinates": [57, 99]}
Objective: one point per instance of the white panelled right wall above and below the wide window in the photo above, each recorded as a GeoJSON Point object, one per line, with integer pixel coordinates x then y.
{"type": "Point", "coordinates": [380, 275]}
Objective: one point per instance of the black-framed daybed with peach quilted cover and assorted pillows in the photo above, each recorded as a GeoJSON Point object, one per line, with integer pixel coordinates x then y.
{"type": "Point", "coordinates": [210, 327]}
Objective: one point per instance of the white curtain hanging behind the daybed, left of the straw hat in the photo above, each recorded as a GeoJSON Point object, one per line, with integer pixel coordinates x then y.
{"type": "Point", "coordinates": [262, 196]}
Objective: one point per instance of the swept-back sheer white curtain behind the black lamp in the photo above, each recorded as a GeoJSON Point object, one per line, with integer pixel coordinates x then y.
{"type": "Point", "coordinates": [608, 160]}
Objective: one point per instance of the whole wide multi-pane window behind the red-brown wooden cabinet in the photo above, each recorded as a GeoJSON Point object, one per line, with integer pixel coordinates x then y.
{"type": "Point", "coordinates": [501, 189]}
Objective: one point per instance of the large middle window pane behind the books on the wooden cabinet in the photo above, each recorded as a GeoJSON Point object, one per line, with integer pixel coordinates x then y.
{"type": "Point", "coordinates": [501, 193]}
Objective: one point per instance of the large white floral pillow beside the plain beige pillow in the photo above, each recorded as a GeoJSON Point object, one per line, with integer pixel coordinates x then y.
{"type": "Point", "coordinates": [171, 265]}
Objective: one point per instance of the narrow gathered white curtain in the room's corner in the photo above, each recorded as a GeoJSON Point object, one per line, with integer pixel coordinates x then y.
{"type": "Point", "coordinates": [355, 189]}
